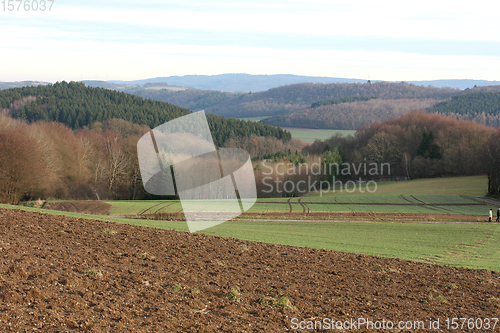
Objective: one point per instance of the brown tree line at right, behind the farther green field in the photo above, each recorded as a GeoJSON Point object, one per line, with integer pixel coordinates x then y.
{"type": "Point", "coordinates": [415, 145]}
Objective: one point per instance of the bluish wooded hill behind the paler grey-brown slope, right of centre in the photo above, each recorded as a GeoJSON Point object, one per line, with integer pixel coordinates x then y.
{"type": "Point", "coordinates": [288, 99]}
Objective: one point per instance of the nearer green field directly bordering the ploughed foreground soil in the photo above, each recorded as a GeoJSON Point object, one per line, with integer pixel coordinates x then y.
{"type": "Point", "coordinates": [465, 245]}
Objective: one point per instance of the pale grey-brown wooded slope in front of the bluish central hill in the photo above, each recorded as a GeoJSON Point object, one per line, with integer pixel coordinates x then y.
{"type": "Point", "coordinates": [349, 116]}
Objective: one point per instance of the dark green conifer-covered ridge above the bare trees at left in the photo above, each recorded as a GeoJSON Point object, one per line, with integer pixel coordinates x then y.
{"type": "Point", "coordinates": [76, 106]}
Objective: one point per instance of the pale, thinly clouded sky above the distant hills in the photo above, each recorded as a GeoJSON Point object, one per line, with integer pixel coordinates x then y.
{"type": "Point", "coordinates": [132, 40]}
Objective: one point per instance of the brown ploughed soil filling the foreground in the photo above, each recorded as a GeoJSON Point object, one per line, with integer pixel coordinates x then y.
{"type": "Point", "coordinates": [63, 274]}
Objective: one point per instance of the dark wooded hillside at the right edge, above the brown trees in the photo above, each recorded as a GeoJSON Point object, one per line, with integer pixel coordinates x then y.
{"type": "Point", "coordinates": [481, 105]}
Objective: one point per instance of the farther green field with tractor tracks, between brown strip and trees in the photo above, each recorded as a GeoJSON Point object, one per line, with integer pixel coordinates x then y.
{"type": "Point", "coordinates": [424, 196]}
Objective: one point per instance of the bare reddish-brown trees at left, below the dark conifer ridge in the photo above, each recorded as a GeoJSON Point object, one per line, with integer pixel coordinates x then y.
{"type": "Point", "coordinates": [42, 160]}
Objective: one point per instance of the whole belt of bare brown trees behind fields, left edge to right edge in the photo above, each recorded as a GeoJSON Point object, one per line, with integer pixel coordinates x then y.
{"type": "Point", "coordinates": [50, 160]}
